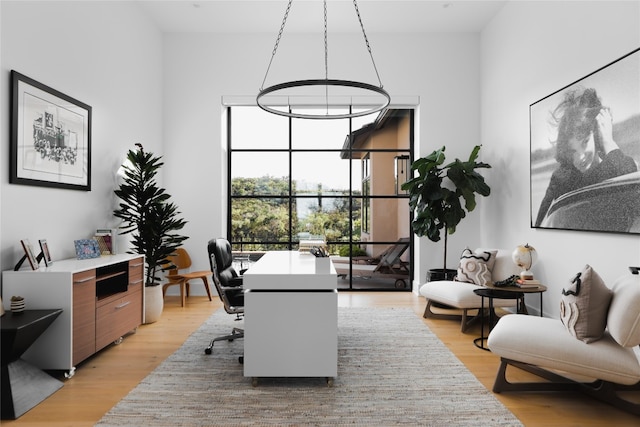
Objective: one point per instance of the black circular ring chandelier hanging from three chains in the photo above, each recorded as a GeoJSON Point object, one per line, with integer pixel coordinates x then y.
{"type": "Point", "coordinates": [329, 85]}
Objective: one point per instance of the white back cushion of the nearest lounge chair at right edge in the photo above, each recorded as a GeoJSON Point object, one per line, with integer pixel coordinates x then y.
{"type": "Point", "coordinates": [623, 321]}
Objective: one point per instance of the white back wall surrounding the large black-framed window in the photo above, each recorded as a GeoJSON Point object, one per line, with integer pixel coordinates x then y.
{"type": "Point", "coordinates": [442, 70]}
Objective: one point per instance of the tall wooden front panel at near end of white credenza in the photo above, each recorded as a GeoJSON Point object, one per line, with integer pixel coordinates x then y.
{"type": "Point", "coordinates": [84, 315]}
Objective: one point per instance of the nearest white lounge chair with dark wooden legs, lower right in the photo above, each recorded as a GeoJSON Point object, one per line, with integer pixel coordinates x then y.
{"type": "Point", "coordinates": [545, 347]}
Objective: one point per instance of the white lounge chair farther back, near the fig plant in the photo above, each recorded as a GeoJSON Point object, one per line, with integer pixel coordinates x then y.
{"type": "Point", "coordinates": [460, 295]}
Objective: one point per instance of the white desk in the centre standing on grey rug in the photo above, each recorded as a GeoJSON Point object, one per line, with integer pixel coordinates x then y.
{"type": "Point", "coordinates": [291, 318]}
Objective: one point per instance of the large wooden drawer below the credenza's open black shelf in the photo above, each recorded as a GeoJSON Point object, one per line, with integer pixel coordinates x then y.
{"type": "Point", "coordinates": [117, 315]}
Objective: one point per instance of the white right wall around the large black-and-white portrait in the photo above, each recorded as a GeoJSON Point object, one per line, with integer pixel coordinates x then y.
{"type": "Point", "coordinates": [530, 50]}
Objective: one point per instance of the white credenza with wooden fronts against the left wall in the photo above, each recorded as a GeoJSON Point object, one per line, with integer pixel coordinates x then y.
{"type": "Point", "coordinates": [101, 298]}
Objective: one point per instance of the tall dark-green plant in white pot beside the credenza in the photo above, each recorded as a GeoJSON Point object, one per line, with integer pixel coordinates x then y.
{"type": "Point", "coordinates": [152, 220]}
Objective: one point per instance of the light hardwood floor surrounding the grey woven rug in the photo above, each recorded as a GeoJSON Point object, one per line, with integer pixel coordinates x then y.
{"type": "Point", "coordinates": [101, 381]}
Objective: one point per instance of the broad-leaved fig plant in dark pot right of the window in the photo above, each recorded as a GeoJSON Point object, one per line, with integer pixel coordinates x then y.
{"type": "Point", "coordinates": [435, 196]}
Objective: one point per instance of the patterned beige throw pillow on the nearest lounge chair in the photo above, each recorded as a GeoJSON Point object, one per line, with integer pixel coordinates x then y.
{"type": "Point", "coordinates": [584, 305]}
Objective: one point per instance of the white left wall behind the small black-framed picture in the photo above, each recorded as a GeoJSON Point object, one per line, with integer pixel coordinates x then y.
{"type": "Point", "coordinates": [105, 54]}
